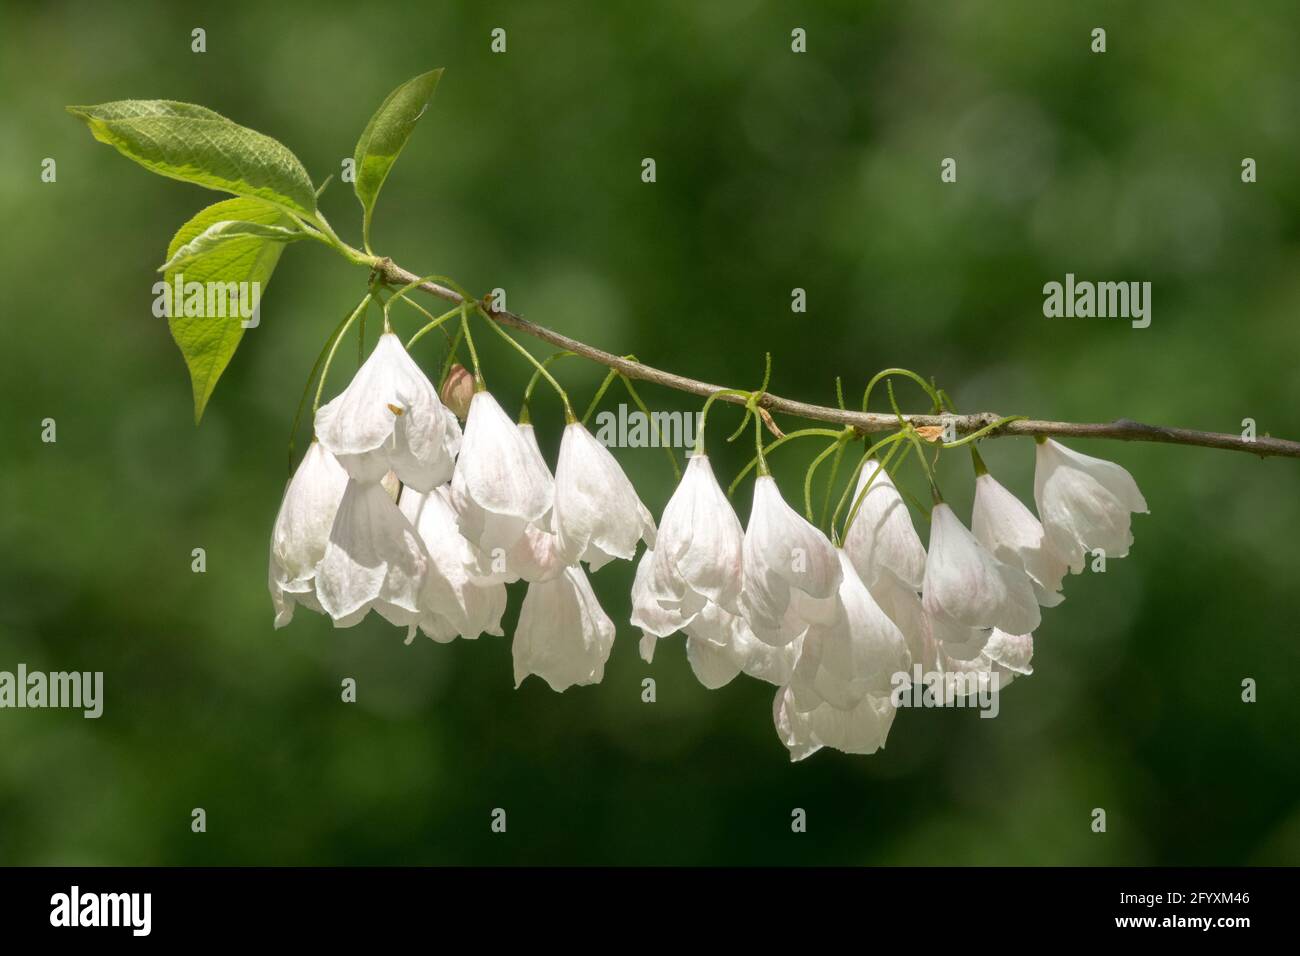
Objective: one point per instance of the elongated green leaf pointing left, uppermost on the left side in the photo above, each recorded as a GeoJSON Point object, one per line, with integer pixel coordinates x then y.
{"type": "Point", "coordinates": [196, 145]}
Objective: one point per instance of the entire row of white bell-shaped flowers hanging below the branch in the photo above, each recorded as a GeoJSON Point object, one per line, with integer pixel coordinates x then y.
{"type": "Point", "coordinates": [396, 509]}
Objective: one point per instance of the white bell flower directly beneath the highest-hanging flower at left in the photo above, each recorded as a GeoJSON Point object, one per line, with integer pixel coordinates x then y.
{"type": "Point", "coordinates": [374, 559]}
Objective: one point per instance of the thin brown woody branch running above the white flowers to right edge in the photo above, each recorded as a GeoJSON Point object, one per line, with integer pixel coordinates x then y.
{"type": "Point", "coordinates": [865, 423]}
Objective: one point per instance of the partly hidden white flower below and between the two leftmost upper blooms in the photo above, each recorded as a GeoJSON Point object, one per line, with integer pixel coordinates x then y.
{"type": "Point", "coordinates": [457, 600]}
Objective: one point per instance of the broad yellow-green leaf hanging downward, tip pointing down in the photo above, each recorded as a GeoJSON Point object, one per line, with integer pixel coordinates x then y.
{"type": "Point", "coordinates": [209, 344]}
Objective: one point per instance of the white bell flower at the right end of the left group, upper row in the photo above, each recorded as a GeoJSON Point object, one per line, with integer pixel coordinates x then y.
{"type": "Point", "coordinates": [599, 514]}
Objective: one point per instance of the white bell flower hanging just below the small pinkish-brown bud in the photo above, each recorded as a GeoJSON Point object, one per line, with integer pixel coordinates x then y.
{"type": "Point", "coordinates": [501, 485]}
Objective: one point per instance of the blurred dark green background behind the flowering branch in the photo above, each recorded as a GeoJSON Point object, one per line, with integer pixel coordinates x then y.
{"type": "Point", "coordinates": [775, 171]}
